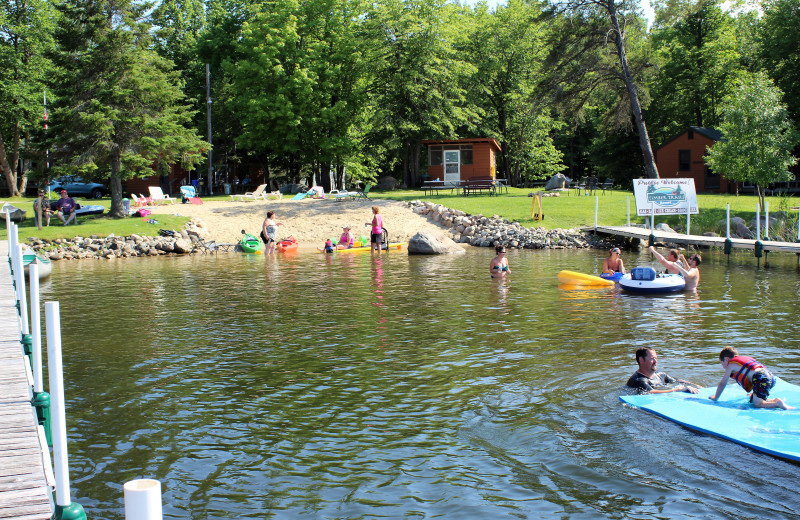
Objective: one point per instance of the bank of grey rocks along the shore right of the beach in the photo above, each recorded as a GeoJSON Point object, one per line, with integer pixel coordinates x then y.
{"type": "Point", "coordinates": [481, 231]}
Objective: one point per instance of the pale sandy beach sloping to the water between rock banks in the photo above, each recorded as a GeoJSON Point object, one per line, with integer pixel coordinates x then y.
{"type": "Point", "coordinates": [310, 221]}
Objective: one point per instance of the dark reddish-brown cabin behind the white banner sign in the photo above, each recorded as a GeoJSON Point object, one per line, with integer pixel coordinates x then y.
{"type": "Point", "coordinates": [682, 157]}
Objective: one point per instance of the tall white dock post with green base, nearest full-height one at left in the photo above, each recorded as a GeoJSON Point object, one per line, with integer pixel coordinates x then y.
{"type": "Point", "coordinates": [65, 508]}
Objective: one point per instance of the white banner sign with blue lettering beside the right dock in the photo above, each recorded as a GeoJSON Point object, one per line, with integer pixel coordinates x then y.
{"type": "Point", "coordinates": [664, 196]}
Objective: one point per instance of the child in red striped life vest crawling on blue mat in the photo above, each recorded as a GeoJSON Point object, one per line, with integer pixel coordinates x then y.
{"type": "Point", "coordinates": [751, 375]}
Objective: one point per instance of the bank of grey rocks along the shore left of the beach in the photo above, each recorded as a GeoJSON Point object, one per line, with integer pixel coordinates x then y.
{"type": "Point", "coordinates": [169, 242]}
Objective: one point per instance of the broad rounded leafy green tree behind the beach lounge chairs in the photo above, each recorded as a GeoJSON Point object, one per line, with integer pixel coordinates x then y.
{"type": "Point", "coordinates": [302, 82]}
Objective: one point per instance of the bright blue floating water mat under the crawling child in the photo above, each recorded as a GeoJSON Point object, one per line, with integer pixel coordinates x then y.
{"type": "Point", "coordinates": [733, 417]}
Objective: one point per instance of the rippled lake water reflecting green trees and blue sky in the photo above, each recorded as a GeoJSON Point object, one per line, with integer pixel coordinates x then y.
{"type": "Point", "coordinates": [409, 387]}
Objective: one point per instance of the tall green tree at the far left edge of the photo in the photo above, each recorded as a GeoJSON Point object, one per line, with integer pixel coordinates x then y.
{"type": "Point", "coordinates": [25, 39]}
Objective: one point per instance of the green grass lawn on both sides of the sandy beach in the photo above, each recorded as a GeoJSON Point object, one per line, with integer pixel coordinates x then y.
{"type": "Point", "coordinates": [560, 212]}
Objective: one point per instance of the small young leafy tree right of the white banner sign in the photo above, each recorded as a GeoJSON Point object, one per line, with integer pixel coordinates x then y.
{"type": "Point", "coordinates": [758, 135]}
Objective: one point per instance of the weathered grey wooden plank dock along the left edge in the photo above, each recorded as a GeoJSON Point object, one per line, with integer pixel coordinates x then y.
{"type": "Point", "coordinates": [24, 493]}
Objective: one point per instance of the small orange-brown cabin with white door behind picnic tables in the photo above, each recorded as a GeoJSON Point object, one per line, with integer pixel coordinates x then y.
{"type": "Point", "coordinates": [453, 160]}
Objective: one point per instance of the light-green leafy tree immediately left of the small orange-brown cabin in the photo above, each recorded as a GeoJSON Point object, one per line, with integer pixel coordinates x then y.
{"type": "Point", "coordinates": [421, 88]}
